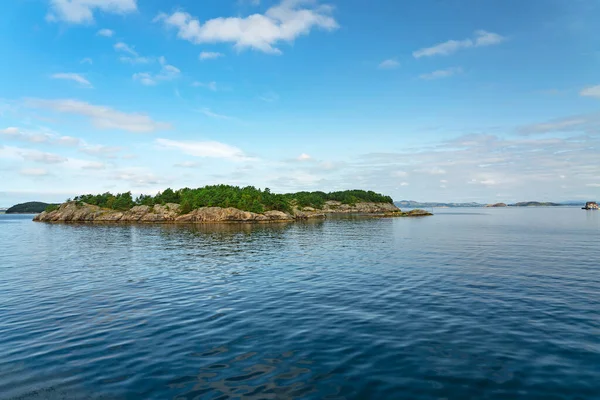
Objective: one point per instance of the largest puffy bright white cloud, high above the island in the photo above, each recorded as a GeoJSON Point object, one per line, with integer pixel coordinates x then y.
{"type": "Point", "coordinates": [284, 22]}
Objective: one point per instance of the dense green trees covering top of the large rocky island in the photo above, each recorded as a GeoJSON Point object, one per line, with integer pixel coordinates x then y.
{"type": "Point", "coordinates": [247, 198]}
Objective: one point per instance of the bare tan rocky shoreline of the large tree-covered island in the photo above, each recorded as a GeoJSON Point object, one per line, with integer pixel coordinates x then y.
{"type": "Point", "coordinates": [170, 213]}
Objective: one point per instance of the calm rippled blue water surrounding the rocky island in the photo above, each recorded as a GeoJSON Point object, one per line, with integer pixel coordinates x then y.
{"type": "Point", "coordinates": [468, 304]}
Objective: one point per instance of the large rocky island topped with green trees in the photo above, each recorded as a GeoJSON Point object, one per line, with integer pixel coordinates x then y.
{"type": "Point", "coordinates": [221, 203]}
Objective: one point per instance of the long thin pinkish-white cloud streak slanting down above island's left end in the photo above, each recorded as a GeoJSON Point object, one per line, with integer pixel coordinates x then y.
{"type": "Point", "coordinates": [102, 117]}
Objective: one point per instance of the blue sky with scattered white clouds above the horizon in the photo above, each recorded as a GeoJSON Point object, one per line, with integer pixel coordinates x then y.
{"type": "Point", "coordinates": [428, 100]}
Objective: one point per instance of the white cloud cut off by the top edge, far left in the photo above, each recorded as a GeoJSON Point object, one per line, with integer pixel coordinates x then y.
{"type": "Point", "coordinates": [82, 11]}
